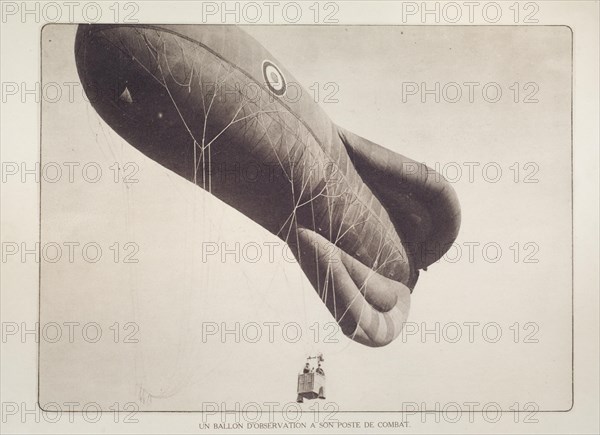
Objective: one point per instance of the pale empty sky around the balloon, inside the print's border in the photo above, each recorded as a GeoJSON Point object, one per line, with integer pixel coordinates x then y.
{"type": "Point", "coordinates": [171, 292]}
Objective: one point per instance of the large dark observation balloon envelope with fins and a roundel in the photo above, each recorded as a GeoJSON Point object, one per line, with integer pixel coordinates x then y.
{"type": "Point", "coordinates": [212, 105]}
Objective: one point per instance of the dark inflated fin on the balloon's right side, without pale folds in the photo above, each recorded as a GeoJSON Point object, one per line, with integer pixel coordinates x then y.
{"type": "Point", "coordinates": [422, 205]}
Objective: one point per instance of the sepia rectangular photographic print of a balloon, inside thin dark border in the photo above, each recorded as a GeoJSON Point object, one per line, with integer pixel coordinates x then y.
{"type": "Point", "coordinates": [234, 229]}
